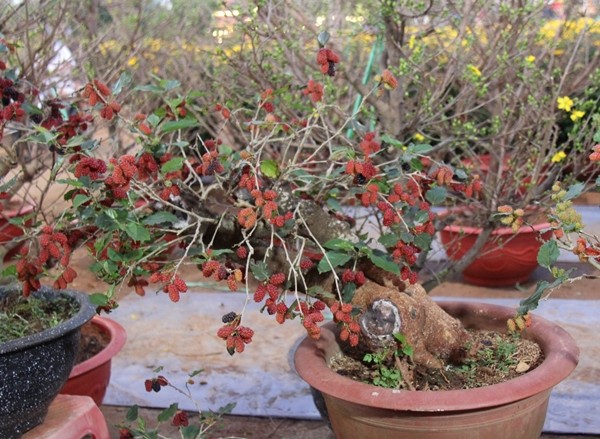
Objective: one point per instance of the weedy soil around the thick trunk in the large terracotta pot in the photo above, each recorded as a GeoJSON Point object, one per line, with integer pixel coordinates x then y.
{"type": "Point", "coordinates": [493, 357]}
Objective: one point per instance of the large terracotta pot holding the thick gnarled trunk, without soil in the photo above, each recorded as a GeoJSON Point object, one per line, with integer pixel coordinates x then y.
{"type": "Point", "coordinates": [514, 409]}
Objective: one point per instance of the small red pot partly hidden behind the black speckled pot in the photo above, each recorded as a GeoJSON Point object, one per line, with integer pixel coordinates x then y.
{"type": "Point", "coordinates": [92, 376]}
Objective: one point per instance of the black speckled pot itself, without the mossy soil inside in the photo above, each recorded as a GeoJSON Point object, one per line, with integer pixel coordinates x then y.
{"type": "Point", "coordinates": [34, 368]}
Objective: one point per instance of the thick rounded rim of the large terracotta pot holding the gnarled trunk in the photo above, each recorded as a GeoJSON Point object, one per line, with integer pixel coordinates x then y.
{"type": "Point", "coordinates": [560, 350]}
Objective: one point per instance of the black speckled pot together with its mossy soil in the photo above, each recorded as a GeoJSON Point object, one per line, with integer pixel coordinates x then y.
{"type": "Point", "coordinates": [38, 344]}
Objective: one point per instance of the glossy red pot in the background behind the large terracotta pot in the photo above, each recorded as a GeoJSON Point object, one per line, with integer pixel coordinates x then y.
{"type": "Point", "coordinates": [506, 259]}
